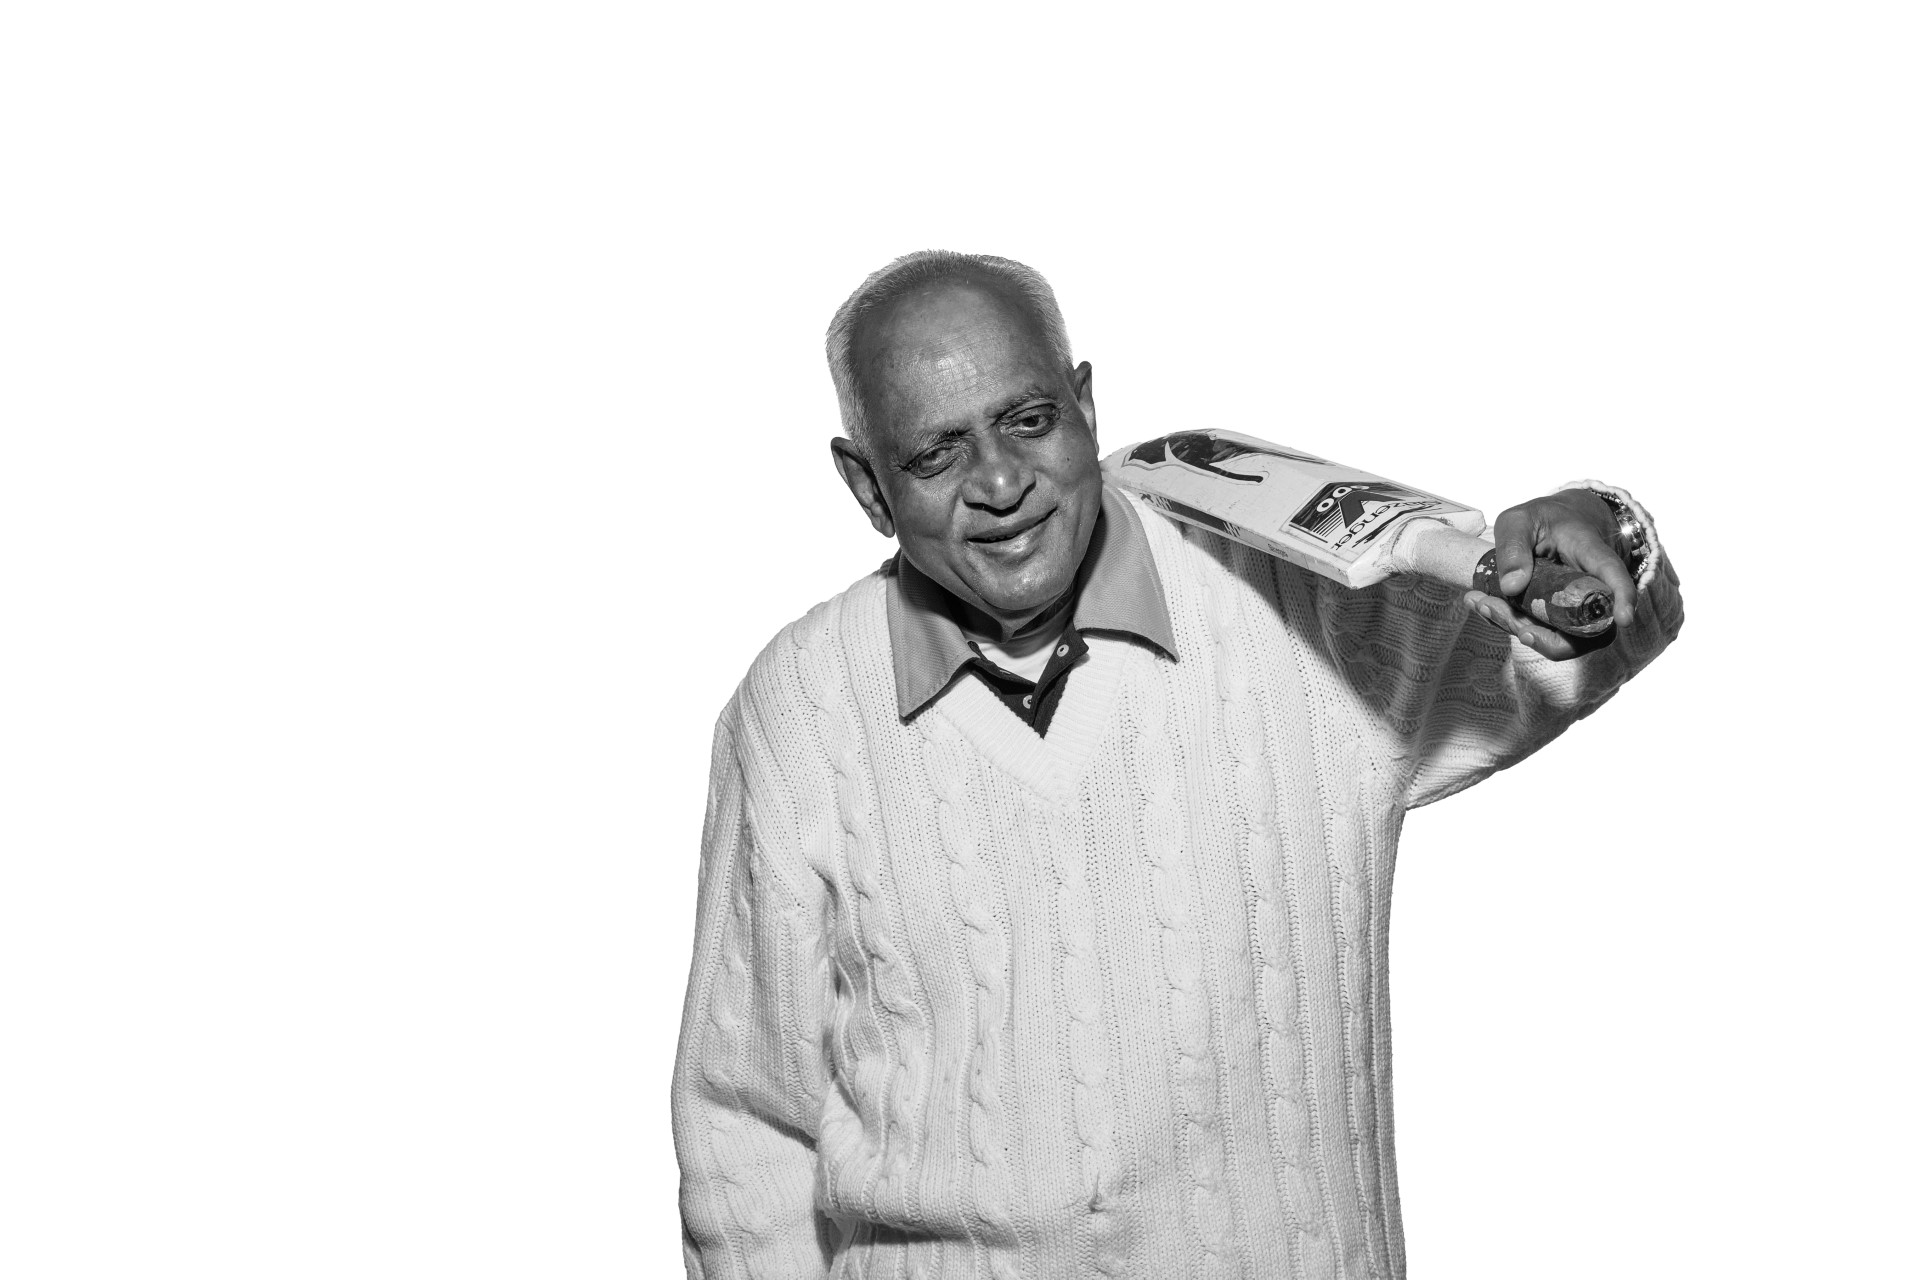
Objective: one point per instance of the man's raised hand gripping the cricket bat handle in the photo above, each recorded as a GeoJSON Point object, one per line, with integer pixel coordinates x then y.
{"type": "Point", "coordinates": [1573, 527]}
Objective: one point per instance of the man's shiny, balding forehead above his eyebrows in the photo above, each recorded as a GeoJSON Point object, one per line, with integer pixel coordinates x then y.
{"type": "Point", "coordinates": [948, 354]}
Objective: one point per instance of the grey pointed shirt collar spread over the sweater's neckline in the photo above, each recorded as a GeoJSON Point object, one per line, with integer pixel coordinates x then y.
{"type": "Point", "coordinates": [1118, 592]}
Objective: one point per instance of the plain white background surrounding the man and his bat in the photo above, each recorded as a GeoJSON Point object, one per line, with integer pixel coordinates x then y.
{"type": "Point", "coordinates": [416, 421]}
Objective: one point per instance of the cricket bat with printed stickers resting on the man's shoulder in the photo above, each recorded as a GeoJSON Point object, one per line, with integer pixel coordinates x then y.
{"type": "Point", "coordinates": [1341, 523]}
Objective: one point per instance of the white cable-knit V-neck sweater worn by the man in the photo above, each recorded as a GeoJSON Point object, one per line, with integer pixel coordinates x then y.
{"type": "Point", "coordinates": [1113, 1003]}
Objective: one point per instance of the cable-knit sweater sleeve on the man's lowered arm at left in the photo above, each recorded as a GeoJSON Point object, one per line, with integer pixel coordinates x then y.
{"type": "Point", "coordinates": [748, 1078]}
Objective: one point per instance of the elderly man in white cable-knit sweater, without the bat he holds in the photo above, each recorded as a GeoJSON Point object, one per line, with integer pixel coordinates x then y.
{"type": "Point", "coordinates": [1045, 876]}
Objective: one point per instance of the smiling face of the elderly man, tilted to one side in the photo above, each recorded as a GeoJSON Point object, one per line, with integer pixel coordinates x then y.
{"type": "Point", "coordinates": [982, 448]}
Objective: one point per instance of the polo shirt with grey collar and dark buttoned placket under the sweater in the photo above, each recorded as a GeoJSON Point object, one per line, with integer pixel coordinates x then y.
{"type": "Point", "coordinates": [1116, 590]}
